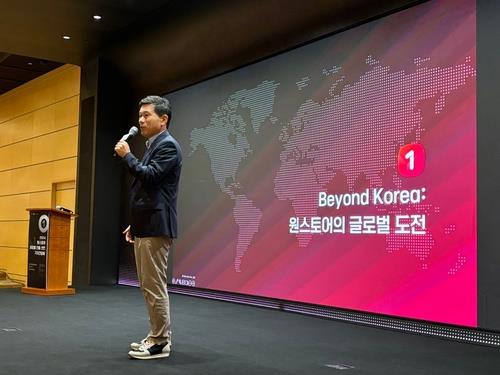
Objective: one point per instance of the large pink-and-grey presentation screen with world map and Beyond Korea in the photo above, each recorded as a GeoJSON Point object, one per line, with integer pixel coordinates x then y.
{"type": "Point", "coordinates": [341, 173]}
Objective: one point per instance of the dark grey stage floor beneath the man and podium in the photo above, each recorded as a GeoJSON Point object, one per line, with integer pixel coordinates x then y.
{"type": "Point", "coordinates": [89, 333]}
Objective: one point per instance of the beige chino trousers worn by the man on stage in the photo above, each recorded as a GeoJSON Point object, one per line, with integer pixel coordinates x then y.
{"type": "Point", "coordinates": [151, 258]}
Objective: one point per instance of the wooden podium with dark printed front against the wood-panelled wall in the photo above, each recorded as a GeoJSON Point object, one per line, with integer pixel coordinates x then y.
{"type": "Point", "coordinates": [48, 252]}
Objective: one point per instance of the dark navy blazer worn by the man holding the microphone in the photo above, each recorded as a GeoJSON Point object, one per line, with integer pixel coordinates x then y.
{"type": "Point", "coordinates": [153, 196]}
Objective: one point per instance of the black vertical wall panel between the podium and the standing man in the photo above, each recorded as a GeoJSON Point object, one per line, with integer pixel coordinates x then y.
{"type": "Point", "coordinates": [111, 123]}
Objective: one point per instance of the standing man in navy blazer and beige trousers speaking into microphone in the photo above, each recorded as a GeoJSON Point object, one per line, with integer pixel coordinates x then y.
{"type": "Point", "coordinates": [153, 201]}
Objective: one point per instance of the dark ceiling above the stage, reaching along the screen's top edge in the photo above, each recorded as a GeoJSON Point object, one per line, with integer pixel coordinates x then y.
{"type": "Point", "coordinates": [160, 45]}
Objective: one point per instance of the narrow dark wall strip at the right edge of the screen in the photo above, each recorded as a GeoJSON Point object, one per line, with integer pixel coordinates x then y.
{"type": "Point", "coordinates": [488, 165]}
